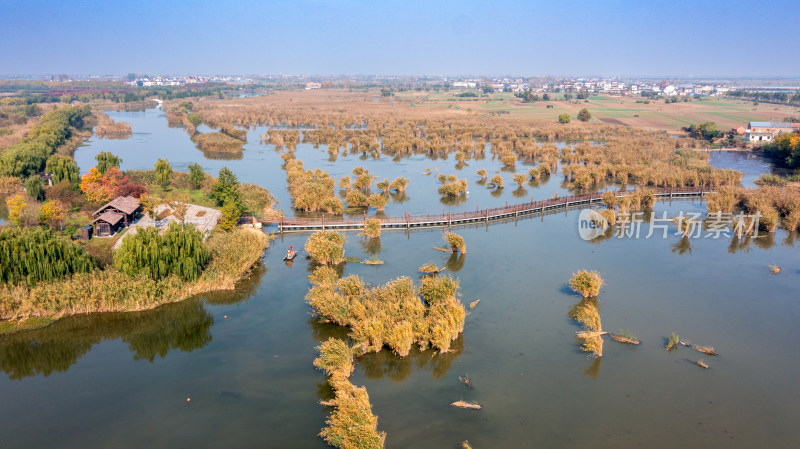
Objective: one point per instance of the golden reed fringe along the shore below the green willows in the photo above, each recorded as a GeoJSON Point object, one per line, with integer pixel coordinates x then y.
{"type": "Point", "coordinates": [232, 256]}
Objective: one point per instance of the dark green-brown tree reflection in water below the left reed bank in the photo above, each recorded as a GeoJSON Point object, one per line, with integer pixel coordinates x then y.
{"type": "Point", "coordinates": [184, 326]}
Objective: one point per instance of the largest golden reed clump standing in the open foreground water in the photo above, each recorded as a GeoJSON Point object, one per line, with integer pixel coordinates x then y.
{"type": "Point", "coordinates": [395, 315]}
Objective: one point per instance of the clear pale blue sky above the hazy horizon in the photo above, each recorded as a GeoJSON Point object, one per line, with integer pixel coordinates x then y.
{"type": "Point", "coordinates": [527, 38]}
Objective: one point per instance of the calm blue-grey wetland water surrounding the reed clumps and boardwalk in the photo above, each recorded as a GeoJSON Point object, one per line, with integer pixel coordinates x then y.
{"type": "Point", "coordinates": [245, 357]}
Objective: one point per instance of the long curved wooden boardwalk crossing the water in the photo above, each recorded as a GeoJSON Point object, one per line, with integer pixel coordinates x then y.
{"type": "Point", "coordinates": [287, 224]}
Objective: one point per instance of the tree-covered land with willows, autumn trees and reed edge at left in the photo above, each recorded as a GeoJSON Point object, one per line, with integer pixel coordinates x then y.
{"type": "Point", "coordinates": [45, 274]}
